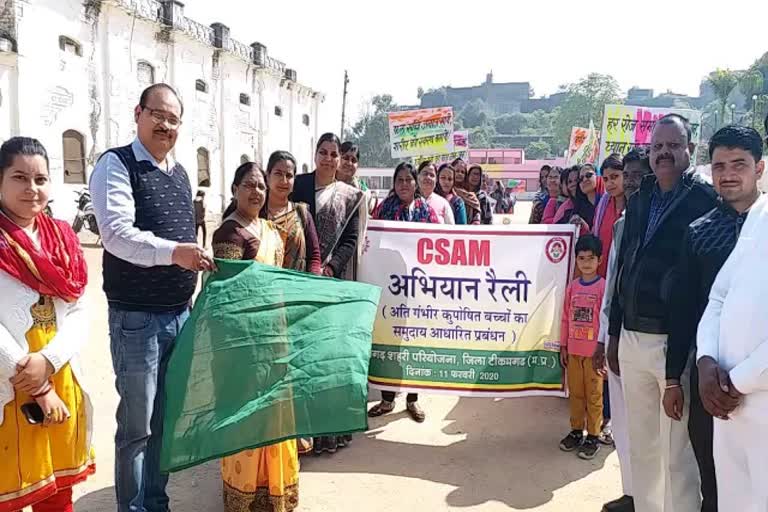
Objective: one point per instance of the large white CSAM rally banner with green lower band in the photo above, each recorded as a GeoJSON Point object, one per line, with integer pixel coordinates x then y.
{"type": "Point", "coordinates": [459, 315]}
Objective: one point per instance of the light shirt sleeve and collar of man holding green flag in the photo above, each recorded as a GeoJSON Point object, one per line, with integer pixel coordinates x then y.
{"type": "Point", "coordinates": [115, 210]}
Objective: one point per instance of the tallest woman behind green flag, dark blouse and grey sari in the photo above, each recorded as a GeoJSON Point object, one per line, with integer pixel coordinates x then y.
{"type": "Point", "coordinates": [335, 208]}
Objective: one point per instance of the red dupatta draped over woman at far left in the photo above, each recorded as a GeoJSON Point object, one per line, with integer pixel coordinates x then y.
{"type": "Point", "coordinates": [57, 268]}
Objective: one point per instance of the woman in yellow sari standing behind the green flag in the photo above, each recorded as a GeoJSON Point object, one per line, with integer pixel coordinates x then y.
{"type": "Point", "coordinates": [264, 479]}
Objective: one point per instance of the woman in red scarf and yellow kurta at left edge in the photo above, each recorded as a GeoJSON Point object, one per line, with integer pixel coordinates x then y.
{"type": "Point", "coordinates": [45, 415]}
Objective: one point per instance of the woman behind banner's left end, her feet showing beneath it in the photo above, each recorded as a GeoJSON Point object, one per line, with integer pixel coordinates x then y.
{"type": "Point", "coordinates": [404, 203]}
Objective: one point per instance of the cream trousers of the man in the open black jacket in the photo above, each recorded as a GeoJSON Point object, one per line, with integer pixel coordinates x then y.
{"type": "Point", "coordinates": [665, 476]}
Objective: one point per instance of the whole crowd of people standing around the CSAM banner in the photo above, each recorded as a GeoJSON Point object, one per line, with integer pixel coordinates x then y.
{"type": "Point", "coordinates": [661, 334]}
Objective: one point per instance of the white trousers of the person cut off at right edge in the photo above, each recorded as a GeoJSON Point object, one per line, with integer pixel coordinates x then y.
{"type": "Point", "coordinates": [741, 461]}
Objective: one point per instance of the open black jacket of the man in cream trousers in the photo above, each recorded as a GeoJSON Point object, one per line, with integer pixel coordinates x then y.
{"type": "Point", "coordinates": [647, 268]}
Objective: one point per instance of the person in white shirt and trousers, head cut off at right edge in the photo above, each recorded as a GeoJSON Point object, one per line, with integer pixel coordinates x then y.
{"type": "Point", "coordinates": [732, 356]}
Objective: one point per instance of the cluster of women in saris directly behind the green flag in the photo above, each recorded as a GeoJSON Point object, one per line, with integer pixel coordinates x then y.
{"type": "Point", "coordinates": [309, 223]}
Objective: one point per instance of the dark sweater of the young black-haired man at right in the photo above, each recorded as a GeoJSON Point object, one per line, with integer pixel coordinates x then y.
{"type": "Point", "coordinates": [708, 242]}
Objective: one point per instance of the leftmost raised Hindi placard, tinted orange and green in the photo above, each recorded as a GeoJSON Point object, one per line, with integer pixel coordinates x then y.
{"type": "Point", "coordinates": [421, 132]}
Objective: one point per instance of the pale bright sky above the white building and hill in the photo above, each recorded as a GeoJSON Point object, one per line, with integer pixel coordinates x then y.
{"type": "Point", "coordinates": [396, 46]}
